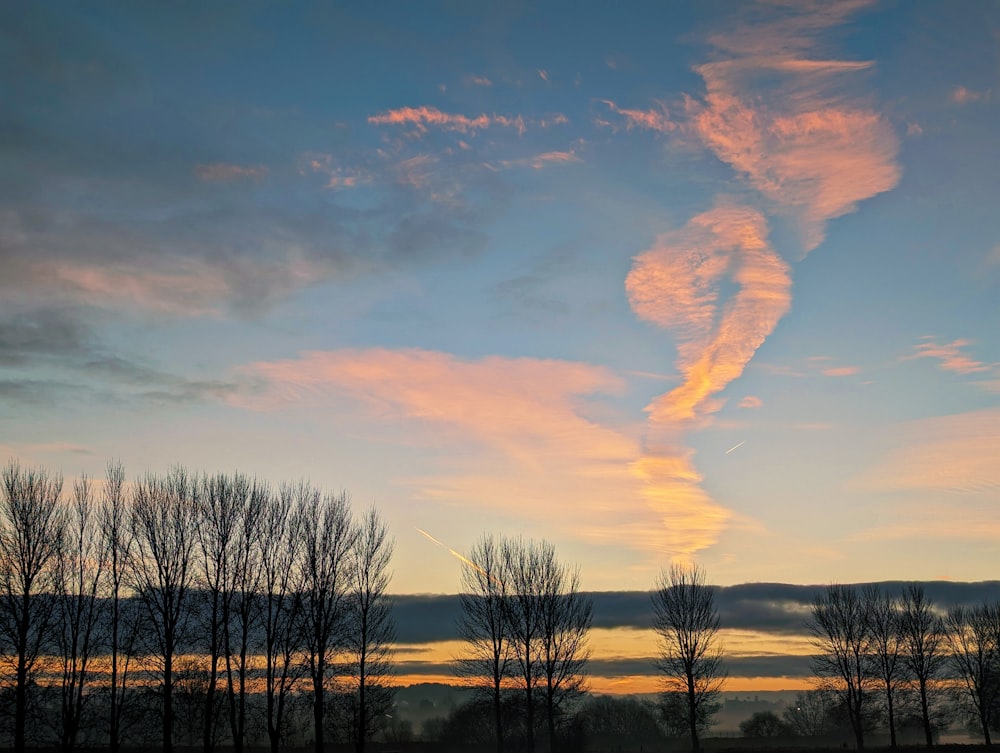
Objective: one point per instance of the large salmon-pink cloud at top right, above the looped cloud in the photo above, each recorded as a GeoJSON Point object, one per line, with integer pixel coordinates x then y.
{"type": "Point", "coordinates": [783, 119]}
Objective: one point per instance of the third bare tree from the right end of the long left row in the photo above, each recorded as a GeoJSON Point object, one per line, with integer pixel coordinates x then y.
{"type": "Point", "coordinates": [280, 603]}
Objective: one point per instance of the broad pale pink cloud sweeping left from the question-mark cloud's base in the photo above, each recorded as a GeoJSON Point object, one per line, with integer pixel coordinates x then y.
{"type": "Point", "coordinates": [523, 427]}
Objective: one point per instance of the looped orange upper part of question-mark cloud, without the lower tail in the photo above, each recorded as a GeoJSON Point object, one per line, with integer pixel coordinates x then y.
{"type": "Point", "coordinates": [676, 285]}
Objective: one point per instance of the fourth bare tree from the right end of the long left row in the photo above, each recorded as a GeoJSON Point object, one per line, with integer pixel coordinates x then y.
{"type": "Point", "coordinates": [243, 614]}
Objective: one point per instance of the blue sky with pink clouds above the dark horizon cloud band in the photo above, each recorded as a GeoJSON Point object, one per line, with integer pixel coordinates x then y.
{"type": "Point", "coordinates": [703, 282]}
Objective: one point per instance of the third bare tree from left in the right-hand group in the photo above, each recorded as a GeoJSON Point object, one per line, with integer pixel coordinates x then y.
{"type": "Point", "coordinates": [924, 642]}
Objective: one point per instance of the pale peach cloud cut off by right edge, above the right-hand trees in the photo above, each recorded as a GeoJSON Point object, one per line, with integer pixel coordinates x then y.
{"type": "Point", "coordinates": [956, 454]}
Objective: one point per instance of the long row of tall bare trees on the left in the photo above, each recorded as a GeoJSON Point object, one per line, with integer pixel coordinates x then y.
{"type": "Point", "coordinates": [282, 591]}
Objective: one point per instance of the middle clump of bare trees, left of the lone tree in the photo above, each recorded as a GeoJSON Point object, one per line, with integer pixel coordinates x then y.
{"type": "Point", "coordinates": [525, 622]}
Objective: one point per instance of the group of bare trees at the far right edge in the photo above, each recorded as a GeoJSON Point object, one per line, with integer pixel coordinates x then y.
{"type": "Point", "coordinates": [875, 646]}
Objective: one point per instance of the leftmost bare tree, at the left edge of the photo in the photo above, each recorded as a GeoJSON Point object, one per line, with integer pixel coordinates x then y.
{"type": "Point", "coordinates": [31, 532]}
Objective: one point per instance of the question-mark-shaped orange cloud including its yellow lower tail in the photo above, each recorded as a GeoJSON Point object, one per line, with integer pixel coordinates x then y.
{"type": "Point", "coordinates": [678, 285]}
